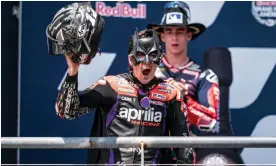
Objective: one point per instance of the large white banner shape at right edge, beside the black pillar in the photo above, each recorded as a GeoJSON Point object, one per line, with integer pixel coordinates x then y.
{"type": "Point", "coordinates": [251, 71]}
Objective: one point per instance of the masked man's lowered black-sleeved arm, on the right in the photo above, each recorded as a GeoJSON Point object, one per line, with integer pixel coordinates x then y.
{"type": "Point", "coordinates": [177, 124]}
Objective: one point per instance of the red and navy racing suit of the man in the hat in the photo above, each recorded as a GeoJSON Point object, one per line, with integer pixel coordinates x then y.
{"type": "Point", "coordinates": [203, 95]}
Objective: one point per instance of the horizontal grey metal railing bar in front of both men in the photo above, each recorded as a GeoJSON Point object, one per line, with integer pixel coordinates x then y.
{"type": "Point", "coordinates": [135, 142]}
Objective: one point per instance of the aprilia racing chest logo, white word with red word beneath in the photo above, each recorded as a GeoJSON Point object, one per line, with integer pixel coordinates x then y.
{"type": "Point", "coordinates": [143, 117]}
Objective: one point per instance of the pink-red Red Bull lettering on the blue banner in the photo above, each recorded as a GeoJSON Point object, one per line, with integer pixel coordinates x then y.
{"type": "Point", "coordinates": [122, 10]}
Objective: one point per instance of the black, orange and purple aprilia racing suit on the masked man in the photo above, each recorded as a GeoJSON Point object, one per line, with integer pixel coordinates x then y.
{"type": "Point", "coordinates": [118, 113]}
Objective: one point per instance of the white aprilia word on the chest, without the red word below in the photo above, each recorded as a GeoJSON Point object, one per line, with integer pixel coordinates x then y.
{"type": "Point", "coordinates": [134, 114]}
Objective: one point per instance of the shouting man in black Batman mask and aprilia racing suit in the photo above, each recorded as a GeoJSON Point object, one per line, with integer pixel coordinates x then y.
{"type": "Point", "coordinates": [129, 104]}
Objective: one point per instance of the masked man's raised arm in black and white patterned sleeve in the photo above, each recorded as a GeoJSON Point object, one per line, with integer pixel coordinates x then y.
{"type": "Point", "coordinates": [70, 103]}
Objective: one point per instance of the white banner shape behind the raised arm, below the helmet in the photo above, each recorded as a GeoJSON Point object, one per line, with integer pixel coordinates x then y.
{"type": "Point", "coordinates": [89, 74]}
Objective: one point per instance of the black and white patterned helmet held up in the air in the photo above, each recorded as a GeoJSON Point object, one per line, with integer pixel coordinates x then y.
{"type": "Point", "coordinates": [77, 29]}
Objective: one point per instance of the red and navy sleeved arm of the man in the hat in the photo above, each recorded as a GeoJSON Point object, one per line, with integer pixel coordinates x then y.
{"type": "Point", "coordinates": [206, 100]}
